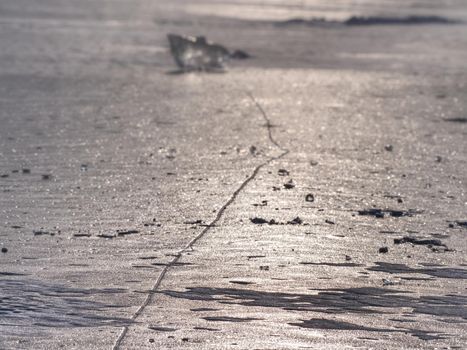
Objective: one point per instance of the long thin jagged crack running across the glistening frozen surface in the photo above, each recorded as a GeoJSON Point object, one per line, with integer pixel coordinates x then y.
{"type": "Point", "coordinates": [219, 215]}
